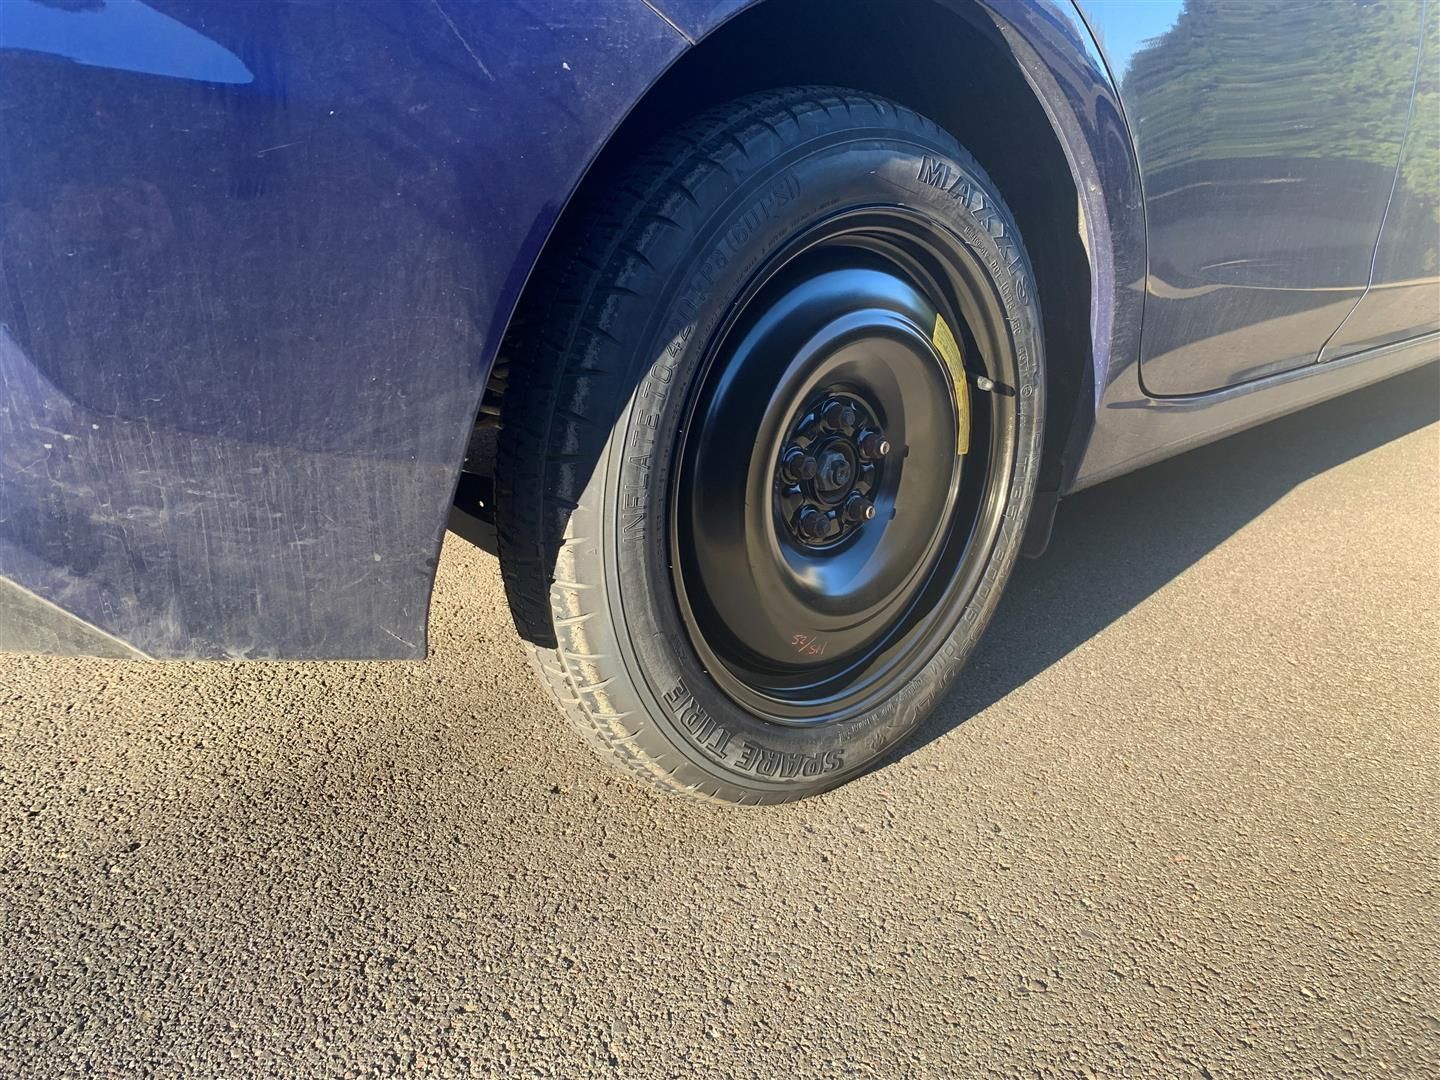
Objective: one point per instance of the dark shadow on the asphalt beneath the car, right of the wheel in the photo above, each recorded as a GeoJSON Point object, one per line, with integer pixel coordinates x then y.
{"type": "Point", "coordinates": [1118, 544]}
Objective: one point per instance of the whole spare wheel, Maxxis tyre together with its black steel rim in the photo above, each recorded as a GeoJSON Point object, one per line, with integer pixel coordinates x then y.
{"type": "Point", "coordinates": [773, 456]}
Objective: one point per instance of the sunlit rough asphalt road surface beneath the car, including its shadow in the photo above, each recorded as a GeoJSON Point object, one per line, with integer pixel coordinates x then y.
{"type": "Point", "coordinates": [1179, 820]}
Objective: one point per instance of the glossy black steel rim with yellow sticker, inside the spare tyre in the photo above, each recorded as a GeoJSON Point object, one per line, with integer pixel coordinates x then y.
{"type": "Point", "coordinates": [827, 526]}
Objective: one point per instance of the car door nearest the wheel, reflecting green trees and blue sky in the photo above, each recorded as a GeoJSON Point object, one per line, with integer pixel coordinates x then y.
{"type": "Point", "coordinates": [1268, 135]}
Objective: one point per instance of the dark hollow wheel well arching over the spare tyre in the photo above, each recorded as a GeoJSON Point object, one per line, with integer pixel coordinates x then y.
{"type": "Point", "coordinates": [951, 66]}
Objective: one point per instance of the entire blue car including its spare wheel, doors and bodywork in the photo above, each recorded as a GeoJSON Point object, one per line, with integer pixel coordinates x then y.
{"type": "Point", "coordinates": [758, 339]}
